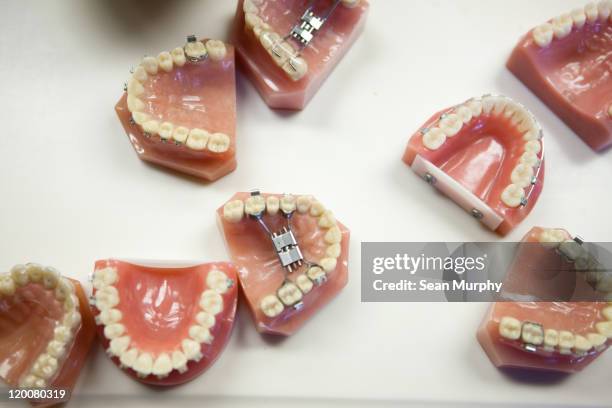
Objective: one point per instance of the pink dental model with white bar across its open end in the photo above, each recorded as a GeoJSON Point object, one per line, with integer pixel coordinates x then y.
{"type": "Point", "coordinates": [486, 155]}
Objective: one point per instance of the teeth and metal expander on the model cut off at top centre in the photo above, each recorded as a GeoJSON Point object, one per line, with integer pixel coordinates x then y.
{"type": "Point", "coordinates": [285, 55]}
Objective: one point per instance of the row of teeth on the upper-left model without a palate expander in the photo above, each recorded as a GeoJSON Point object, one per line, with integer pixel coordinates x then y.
{"type": "Point", "coordinates": [197, 139]}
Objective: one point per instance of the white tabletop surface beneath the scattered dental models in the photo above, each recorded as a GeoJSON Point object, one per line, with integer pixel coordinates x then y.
{"type": "Point", "coordinates": [73, 191]}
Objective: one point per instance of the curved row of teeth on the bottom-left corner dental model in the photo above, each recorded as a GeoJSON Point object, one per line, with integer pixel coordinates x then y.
{"type": "Point", "coordinates": [47, 365]}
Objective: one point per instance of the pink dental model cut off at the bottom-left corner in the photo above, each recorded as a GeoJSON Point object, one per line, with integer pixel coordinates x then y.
{"type": "Point", "coordinates": [47, 328]}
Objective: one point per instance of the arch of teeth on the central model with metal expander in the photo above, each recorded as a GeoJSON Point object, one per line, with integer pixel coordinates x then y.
{"type": "Point", "coordinates": [291, 293]}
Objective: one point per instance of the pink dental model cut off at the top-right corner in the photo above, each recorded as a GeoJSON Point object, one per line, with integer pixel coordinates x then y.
{"type": "Point", "coordinates": [566, 63]}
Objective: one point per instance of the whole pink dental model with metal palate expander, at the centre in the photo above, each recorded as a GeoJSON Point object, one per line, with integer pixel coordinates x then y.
{"type": "Point", "coordinates": [291, 253]}
